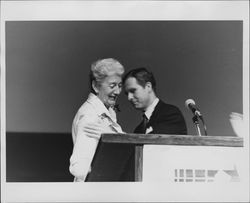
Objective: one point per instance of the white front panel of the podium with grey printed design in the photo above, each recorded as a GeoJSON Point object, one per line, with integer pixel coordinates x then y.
{"type": "Point", "coordinates": [192, 164]}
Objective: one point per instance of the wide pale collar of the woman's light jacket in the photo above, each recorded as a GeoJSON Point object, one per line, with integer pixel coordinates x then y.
{"type": "Point", "coordinates": [100, 107]}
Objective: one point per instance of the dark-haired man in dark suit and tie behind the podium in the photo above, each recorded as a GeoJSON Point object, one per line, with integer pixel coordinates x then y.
{"type": "Point", "coordinates": [158, 117]}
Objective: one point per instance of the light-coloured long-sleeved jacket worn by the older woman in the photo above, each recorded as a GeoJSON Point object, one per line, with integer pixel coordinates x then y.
{"type": "Point", "coordinates": [93, 110]}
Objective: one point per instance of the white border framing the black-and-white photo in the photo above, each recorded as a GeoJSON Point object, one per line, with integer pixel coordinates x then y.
{"type": "Point", "coordinates": [123, 10]}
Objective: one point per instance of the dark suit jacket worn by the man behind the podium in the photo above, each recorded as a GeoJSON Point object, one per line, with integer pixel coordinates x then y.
{"type": "Point", "coordinates": [165, 119]}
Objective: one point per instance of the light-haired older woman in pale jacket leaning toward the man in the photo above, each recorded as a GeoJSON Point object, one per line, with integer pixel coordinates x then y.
{"type": "Point", "coordinates": [106, 84]}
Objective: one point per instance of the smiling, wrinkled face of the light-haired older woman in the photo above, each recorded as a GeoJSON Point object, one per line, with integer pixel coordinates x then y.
{"type": "Point", "coordinates": [109, 89]}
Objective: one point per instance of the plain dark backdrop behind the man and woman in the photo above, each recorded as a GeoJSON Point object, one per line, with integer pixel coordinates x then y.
{"type": "Point", "coordinates": [47, 66]}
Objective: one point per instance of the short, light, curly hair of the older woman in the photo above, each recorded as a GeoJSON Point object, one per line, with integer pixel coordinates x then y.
{"type": "Point", "coordinates": [103, 68]}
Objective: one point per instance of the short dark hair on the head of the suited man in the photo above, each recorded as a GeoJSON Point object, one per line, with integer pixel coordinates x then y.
{"type": "Point", "coordinates": [142, 75]}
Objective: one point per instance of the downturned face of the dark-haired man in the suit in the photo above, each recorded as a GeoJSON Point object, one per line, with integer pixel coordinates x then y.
{"type": "Point", "coordinates": [137, 94]}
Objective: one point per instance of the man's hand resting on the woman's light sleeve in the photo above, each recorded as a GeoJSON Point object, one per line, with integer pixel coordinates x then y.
{"type": "Point", "coordinates": [94, 130]}
